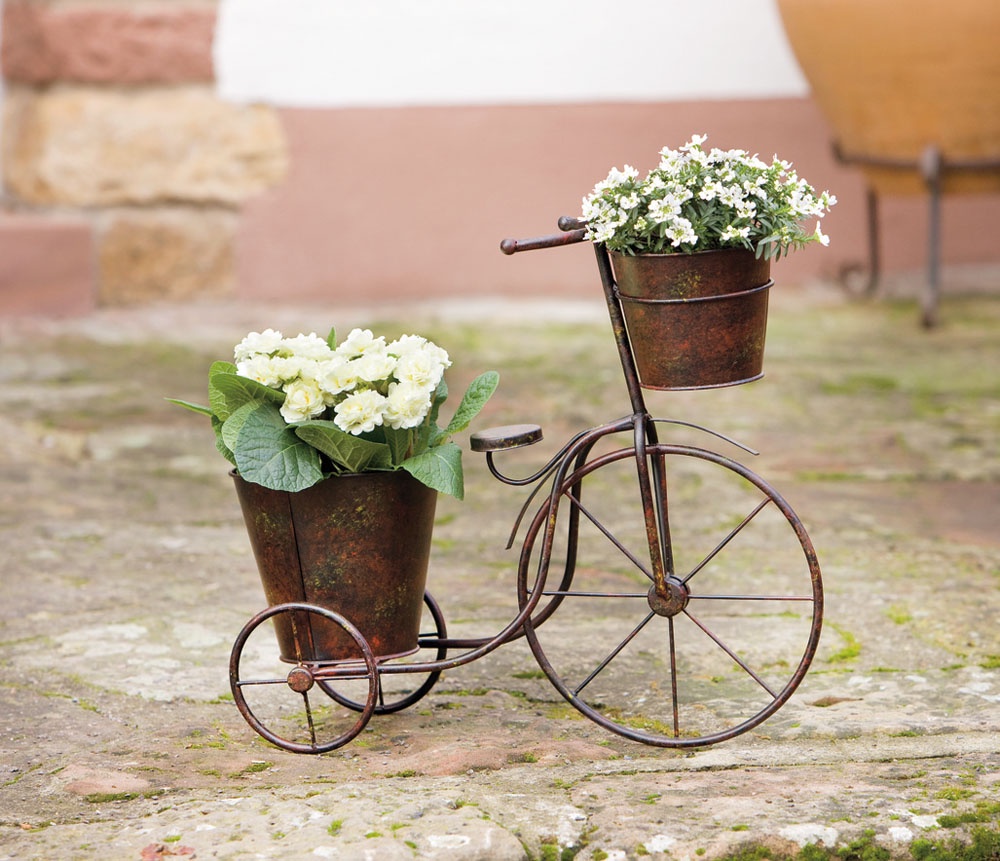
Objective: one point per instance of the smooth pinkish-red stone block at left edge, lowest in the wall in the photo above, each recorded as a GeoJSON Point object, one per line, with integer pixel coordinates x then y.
{"type": "Point", "coordinates": [46, 266]}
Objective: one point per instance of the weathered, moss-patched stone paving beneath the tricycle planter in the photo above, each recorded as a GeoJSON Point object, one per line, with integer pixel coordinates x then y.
{"type": "Point", "coordinates": [127, 575]}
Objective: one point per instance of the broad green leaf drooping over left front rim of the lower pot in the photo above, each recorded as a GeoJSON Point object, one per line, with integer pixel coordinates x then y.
{"type": "Point", "coordinates": [269, 453]}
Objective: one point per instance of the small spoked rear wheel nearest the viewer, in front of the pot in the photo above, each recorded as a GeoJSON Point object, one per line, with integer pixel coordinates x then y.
{"type": "Point", "coordinates": [278, 695]}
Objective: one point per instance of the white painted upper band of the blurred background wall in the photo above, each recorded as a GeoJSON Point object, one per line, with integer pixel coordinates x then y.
{"type": "Point", "coordinates": [368, 53]}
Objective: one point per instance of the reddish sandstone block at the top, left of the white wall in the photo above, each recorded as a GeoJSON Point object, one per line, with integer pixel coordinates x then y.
{"type": "Point", "coordinates": [107, 44]}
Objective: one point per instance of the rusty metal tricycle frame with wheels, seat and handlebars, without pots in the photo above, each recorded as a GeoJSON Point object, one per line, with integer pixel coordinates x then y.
{"type": "Point", "coordinates": [669, 623]}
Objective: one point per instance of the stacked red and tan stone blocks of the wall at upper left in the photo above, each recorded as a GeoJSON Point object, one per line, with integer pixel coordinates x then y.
{"type": "Point", "coordinates": [112, 131]}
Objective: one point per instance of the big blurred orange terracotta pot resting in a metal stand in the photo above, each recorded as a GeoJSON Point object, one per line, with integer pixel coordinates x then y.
{"type": "Point", "coordinates": [895, 77]}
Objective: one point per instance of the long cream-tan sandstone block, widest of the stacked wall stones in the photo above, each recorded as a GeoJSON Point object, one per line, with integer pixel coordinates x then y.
{"type": "Point", "coordinates": [82, 146]}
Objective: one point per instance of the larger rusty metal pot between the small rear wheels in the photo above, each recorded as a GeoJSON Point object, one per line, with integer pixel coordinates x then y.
{"type": "Point", "coordinates": [354, 544]}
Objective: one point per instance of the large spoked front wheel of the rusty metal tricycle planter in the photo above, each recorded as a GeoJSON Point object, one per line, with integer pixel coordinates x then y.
{"type": "Point", "coordinates": [717, 652]}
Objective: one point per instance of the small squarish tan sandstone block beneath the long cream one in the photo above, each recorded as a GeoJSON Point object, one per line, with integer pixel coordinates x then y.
{"type": "Point", "coordinates": [152, 255]}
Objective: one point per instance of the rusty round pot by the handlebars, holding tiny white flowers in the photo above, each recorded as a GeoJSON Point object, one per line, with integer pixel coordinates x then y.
{"type": "Point", "coordinates": [697, 320]}
